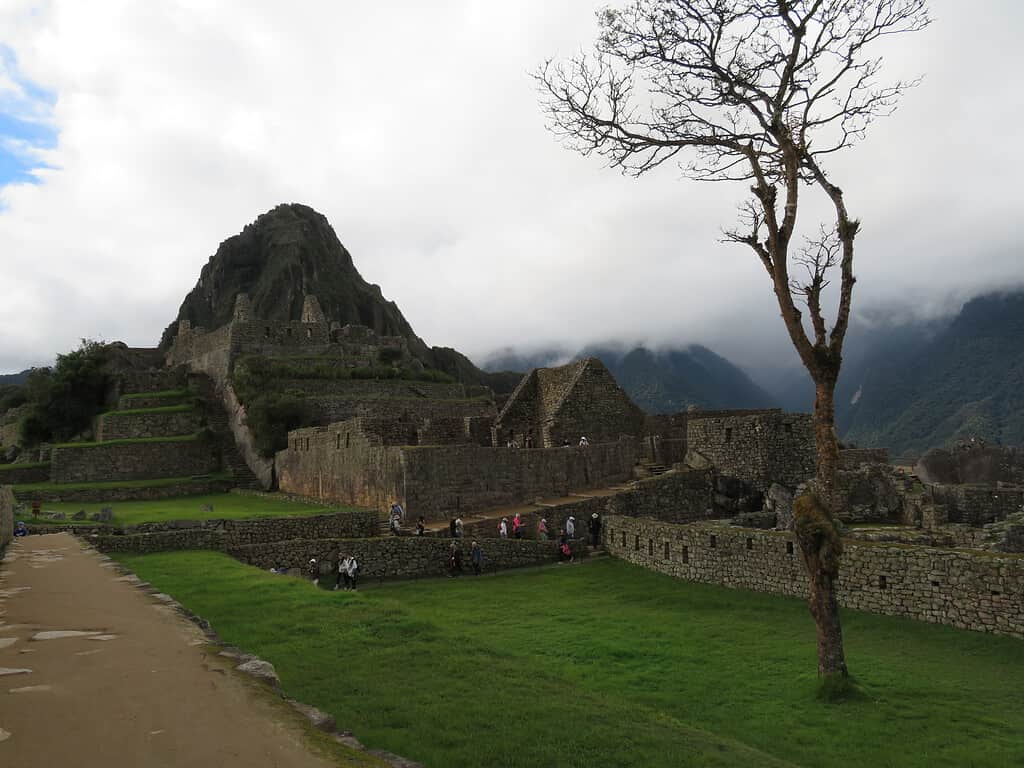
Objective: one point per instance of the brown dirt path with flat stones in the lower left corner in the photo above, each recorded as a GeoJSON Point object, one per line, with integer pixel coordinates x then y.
{"type": "Point", "coordinates": [141, 693]}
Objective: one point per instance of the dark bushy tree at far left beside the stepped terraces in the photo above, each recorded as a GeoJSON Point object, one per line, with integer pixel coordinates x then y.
{"type": "Point", "coordinates": [68, 397]}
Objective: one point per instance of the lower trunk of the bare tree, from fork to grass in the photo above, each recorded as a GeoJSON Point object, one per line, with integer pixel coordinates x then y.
{"type": "Point", "coordinates": [825, 571]}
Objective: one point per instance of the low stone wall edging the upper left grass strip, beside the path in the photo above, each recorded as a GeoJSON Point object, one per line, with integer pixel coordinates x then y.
{"type": "Point", "coordinates": [228, 535]}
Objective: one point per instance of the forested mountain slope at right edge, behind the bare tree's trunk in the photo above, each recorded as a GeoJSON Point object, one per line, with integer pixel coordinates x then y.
{"type": "Point", "coordinates": [918, 386]}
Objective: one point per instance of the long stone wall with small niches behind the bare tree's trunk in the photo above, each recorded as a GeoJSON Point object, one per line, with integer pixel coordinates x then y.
{"type": "Point", "coordinates": [964, 589]}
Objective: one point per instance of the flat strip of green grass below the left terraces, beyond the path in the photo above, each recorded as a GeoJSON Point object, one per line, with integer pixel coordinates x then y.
{"type": "Point", "coordinates": [226, 506]}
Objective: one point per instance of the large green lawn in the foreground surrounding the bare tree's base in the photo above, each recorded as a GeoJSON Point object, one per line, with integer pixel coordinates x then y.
{"type": "Point", "coordinates": [606, 664]}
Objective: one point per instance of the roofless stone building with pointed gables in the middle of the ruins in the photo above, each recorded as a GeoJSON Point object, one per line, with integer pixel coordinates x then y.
{"type": "Point", "coordinates": [559, 405]}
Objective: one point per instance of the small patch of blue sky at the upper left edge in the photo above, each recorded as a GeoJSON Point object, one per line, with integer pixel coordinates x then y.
{"type": "Point", "coordinates": [27, 129]}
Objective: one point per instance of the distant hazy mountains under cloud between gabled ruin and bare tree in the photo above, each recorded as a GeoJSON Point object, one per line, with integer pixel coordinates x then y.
{"type": "Point", "coordinates": [659, 381]}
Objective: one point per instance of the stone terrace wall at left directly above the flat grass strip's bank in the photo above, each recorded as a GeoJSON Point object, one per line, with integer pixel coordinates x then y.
{"type": "Point", "coordinates": [133, 461]}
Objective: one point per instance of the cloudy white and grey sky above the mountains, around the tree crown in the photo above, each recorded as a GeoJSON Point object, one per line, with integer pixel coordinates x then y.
{"type": "Point", "coordinates": [135, 138]}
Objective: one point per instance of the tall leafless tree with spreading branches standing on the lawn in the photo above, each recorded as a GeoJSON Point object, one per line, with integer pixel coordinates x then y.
{"type": "Point", "coordinates": [762, 93]}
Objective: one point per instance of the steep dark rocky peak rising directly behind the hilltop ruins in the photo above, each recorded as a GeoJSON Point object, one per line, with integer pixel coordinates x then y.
{"type": "Point", "coordinates": [292, 251]}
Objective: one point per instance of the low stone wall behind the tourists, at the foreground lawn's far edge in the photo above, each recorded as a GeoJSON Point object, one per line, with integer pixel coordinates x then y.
{"type": "Point", "coordinates": [395, 558]}
